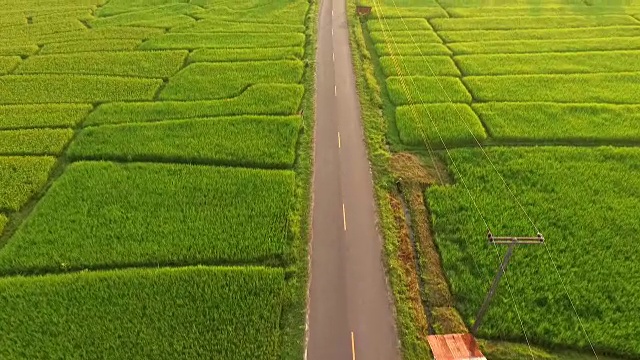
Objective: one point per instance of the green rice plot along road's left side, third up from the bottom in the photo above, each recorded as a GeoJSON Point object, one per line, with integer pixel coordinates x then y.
{"type": "Point", "coordinates": [252, 141]}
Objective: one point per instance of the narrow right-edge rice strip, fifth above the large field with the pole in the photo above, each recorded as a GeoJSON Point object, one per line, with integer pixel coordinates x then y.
{"type": "Point", "coordinates": [540, 34]}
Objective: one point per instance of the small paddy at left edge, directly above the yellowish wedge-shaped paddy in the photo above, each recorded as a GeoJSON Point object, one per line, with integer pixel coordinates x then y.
{"type": "Point", "coordinates": [34, 141]}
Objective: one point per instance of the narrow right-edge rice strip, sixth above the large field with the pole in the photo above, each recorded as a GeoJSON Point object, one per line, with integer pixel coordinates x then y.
{"type": "Point", "coordinates": [533, 22]}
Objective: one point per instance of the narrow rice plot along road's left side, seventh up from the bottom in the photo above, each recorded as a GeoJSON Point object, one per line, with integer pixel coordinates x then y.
{"type": "Point", "coordinates": [192, 41]}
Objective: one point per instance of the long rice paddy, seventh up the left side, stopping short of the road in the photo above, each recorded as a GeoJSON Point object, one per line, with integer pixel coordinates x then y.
{"type": "Point", "coordinates": [157, 64]}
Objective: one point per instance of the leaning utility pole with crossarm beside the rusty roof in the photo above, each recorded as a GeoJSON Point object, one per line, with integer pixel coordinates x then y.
{"type": "Point", "coordinates": [512, 242]}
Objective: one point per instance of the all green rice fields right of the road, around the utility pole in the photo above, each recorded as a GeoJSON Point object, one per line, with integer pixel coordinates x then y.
{"type": "Point", "coordinates": [551, 91]}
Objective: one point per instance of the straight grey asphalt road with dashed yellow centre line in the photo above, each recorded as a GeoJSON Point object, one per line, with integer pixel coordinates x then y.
{"type": "Point", "coordinates": [350, 311]}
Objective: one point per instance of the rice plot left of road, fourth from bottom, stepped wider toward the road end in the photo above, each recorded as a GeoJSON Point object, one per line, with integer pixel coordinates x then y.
{"type": "Point", "coordinates": [265, 99]}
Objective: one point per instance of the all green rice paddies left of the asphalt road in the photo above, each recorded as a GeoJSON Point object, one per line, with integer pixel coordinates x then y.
{"type": "Point", "coordinates": [154, 177]}
